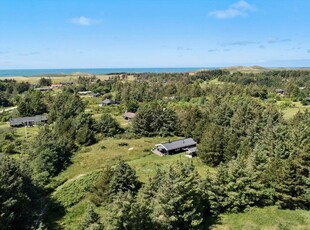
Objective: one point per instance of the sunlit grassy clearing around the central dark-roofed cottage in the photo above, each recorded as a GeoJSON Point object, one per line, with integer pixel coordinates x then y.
{"type": "Point", "coordinates": [136, 152]}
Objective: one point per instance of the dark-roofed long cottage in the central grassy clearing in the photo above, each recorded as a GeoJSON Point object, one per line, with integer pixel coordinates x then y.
{"type": "Point", "coordinates": [178, 146]}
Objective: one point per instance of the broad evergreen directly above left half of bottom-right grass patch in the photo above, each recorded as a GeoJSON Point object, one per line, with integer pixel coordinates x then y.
{"type": "Point", "coordinates": [236, 187]}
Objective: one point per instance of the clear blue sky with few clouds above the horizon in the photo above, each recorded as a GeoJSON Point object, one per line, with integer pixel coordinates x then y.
{"type": "Point", "coordinates": [153, 33]}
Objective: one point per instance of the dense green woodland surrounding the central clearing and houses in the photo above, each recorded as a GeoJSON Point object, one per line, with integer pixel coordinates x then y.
{"type": "Point", "coordinates": [260, 159]}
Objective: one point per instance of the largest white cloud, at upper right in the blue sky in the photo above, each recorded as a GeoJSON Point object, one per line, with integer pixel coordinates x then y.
{"type": "Point", "coordinates": [238, 9]}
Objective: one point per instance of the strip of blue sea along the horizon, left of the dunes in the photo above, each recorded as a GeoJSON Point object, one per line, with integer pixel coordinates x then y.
{"type": "Point", "coordinates": [35, 72]}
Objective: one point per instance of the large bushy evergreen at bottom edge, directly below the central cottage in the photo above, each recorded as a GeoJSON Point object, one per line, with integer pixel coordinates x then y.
{"type": "Point", "coordinates": [176, 198]}
